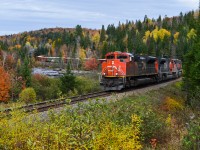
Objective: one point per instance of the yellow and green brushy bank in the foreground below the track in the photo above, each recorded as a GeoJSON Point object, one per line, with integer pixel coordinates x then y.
{"type": "Point", "coordinates": [157, 119]}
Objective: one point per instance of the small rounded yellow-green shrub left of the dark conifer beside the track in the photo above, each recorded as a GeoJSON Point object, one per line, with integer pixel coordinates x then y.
{"type": "Point", "coordinates": [27, 95]}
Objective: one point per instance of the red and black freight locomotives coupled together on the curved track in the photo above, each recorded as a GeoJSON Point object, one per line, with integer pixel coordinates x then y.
{"type": "Point", "coordinates": [122, 69]}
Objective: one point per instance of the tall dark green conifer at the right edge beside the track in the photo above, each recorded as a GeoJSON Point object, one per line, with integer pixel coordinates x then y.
{"type": "Point", "coordinates": [191, 68]}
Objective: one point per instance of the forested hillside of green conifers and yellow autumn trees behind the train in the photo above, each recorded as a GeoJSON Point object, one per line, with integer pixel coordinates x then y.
{"type": "Point", "coordinates": [162, 36]}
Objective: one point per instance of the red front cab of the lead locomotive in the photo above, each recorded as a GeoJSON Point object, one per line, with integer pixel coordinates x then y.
{"type": "Point", "coordinates": [114, 70]}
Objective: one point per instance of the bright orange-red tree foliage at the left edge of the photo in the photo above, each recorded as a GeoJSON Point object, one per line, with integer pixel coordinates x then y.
{"type": "Point", "coordinates": [5, 85]}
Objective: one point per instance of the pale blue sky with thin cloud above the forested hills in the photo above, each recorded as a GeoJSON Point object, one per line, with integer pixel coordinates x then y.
{"type": "Point", "coordinates": [26, 15]}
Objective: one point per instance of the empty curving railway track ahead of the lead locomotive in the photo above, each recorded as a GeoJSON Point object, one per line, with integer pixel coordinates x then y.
{"type": "Point", "coordinates": [46, 105]}
